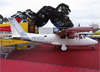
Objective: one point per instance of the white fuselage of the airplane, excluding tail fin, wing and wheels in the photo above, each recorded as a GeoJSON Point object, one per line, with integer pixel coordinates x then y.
{"type": "Point", "coordinates": [56, 40]}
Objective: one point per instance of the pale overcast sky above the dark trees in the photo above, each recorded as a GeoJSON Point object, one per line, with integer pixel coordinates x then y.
{"type": "Point", "coordinates": [84, 12]}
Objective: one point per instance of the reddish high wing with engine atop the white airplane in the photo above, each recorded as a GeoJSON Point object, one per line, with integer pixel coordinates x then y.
{"type": "Point", "coordinates": [74, 32]}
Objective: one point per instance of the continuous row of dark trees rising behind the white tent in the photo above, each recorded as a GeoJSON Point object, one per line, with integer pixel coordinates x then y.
{"type": "Point", "coordinates": [58, 15]}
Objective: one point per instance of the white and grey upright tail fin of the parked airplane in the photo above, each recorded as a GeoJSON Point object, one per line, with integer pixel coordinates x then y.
{"type": "Point", "coordinates": [16, 29]}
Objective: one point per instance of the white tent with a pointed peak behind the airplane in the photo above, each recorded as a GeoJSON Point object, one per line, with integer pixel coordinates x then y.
{"type": "Point", "coordinates": [47, 28]}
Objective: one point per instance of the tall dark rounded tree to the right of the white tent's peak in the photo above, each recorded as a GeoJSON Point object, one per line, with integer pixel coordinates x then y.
{"type": "Point", "coordinates": [62, 17]}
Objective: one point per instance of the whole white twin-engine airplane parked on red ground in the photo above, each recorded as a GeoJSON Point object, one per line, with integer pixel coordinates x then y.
{"type": "Point", "coordinates": [67, 37]}
